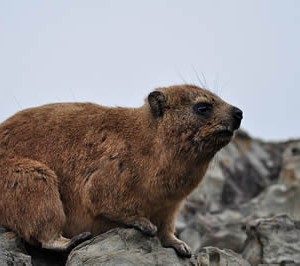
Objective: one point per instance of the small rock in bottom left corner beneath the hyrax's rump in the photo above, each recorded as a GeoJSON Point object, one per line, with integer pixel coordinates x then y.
{"type": "Point", "coordinates": [12, 251]}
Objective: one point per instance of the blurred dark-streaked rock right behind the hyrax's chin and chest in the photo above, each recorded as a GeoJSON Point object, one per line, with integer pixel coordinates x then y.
{"type": "Point", "coordinates": [240, 171]}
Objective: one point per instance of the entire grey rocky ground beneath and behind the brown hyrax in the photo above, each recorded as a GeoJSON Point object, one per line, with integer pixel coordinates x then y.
{"type": "Point", "coordinates": [228, 220]}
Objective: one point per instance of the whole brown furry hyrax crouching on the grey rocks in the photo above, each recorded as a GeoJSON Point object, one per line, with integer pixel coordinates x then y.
{"type": "Point", "coordinates": [75, 167]}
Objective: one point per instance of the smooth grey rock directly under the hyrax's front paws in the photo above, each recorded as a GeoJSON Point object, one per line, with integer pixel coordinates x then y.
{"type": "Point", "coordinates": [124, 247]}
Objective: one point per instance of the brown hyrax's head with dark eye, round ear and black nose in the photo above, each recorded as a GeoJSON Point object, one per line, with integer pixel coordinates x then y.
{"type": "Point", "coordinates": [194, 119]}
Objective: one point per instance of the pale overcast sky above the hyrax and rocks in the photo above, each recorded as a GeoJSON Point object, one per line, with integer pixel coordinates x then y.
{"type": "Point", "coordinates": [115, 52]}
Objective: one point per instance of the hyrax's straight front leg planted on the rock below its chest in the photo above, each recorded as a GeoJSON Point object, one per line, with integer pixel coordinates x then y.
{"type": "Point", "coordinates": [166, 232]}
